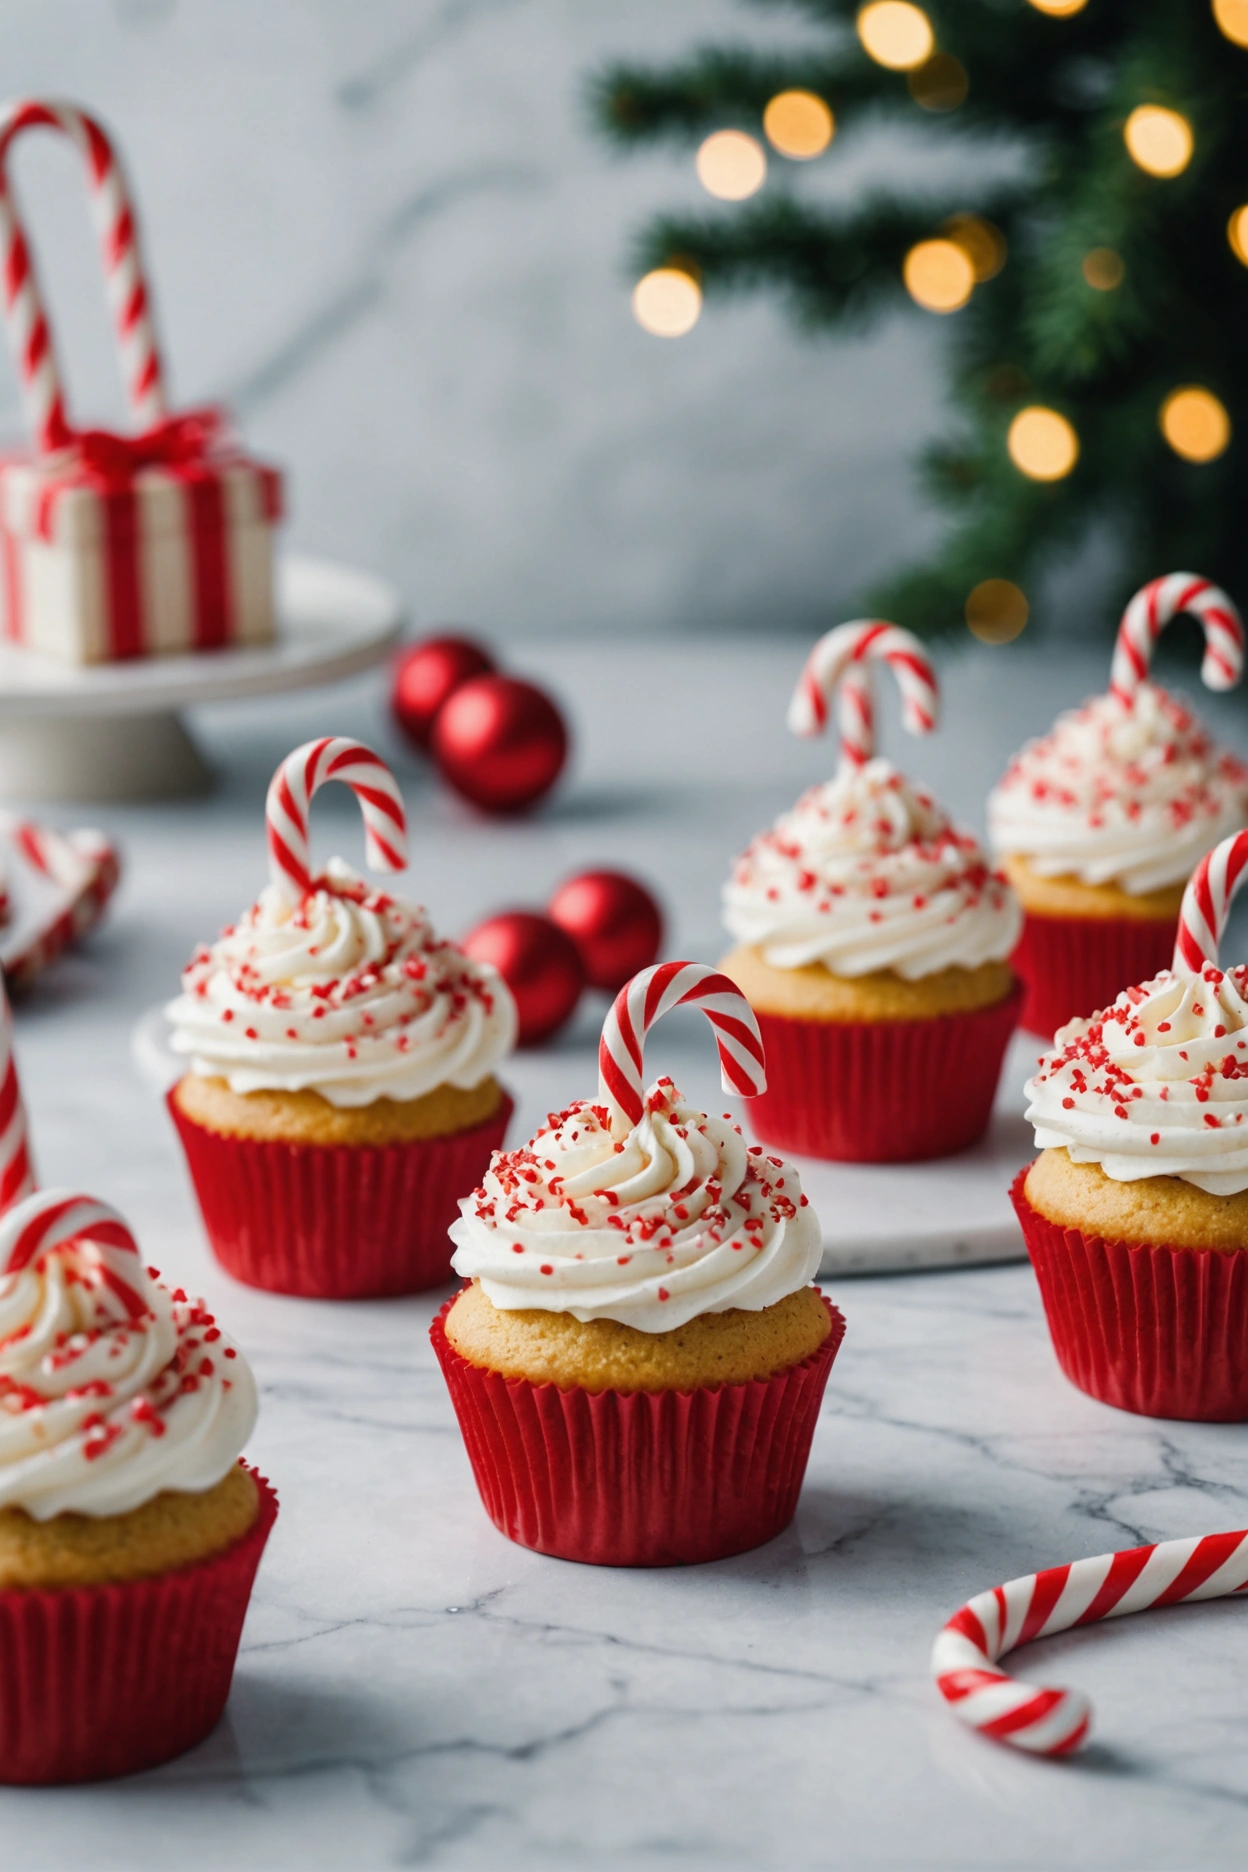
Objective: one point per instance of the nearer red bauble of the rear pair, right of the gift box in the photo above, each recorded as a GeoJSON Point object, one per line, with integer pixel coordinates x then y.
{"type": "Point", "coordinates": [501, 742]}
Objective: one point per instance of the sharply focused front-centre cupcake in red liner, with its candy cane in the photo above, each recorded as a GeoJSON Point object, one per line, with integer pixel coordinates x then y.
{"type": "Point", "coordinates": [639, 1356]}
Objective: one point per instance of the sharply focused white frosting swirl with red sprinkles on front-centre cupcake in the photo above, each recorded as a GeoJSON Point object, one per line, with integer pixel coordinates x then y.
{"type": "Point", "coordinates": [652, 1229]}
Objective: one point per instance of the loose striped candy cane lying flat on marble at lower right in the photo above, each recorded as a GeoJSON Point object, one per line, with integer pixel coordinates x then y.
{"type": "Point", "coordinates": [965, 1660]}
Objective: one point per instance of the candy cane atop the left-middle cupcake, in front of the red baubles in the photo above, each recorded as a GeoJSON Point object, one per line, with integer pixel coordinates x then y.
{"type": "Point", "coordinates": [291, 795]}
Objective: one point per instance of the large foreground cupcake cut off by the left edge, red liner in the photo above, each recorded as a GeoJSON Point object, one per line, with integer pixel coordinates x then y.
{"type": "Point", "coordinates": [130, 1532]}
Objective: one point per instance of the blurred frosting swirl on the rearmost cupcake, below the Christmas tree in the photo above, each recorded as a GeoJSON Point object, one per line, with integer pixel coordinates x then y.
{"type": "Point", "coordinates": [1131, 797]}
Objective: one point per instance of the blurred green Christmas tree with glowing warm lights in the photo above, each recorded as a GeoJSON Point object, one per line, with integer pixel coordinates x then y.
{"type": "Point", "coordinates": [1097, 299]}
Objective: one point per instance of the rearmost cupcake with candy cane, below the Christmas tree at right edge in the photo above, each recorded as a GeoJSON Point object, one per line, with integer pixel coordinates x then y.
{"type": "Point", "coordinates": [1101, 823]}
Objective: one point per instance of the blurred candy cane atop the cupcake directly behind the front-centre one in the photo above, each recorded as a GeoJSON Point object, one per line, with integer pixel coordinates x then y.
{"type": "Point", "coordinates": [841, 664]}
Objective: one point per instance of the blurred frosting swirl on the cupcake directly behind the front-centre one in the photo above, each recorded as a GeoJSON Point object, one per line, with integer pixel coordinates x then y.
{"type": "Point", "coordinates": [869, 873]}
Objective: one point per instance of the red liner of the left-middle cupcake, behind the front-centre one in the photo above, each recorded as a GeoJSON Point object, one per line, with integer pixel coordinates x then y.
{"type": "Point", "coordinates": [336, 1221]}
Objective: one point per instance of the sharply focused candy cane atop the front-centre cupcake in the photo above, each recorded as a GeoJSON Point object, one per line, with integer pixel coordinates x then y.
{"type": "Point", "coordinates": [650, 995]}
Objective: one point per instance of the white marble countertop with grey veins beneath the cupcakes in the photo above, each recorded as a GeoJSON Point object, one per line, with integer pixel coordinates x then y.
{"type": "Point", "coordinates": [416, 1691]}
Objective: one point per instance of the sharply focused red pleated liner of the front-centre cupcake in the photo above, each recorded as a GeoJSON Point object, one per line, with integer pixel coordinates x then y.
{"type": "Point", "coordinates": [639, 1478]}
